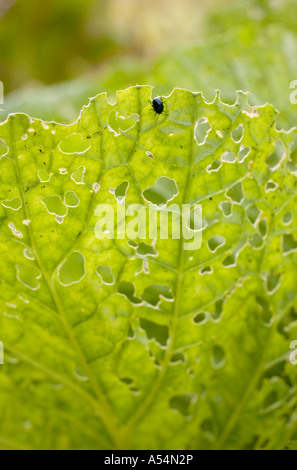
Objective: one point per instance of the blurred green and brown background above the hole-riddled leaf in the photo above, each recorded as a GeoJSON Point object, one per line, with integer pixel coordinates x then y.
{"type": "Point", "coordinates": [55, 54]}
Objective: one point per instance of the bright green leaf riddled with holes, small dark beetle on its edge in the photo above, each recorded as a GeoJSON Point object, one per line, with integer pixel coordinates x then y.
{"type": "Point", "coordinates": [117, 343]}
